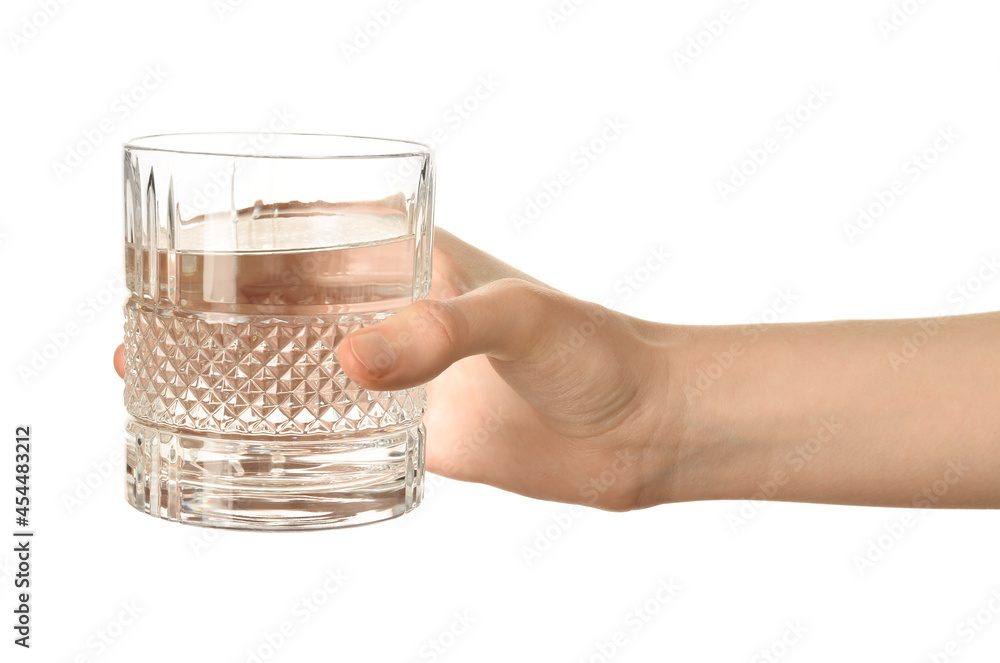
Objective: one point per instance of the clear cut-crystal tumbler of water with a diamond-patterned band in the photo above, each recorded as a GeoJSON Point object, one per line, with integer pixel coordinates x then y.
{"type": "Point", "coordinates": [248, 258]}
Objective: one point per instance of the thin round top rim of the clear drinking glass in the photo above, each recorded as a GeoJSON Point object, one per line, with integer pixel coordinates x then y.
{"type": "Point", "coordinates": [406, 148]}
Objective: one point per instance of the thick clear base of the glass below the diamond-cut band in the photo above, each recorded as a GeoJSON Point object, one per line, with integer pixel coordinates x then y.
{"type": "Point", "coordinates": [273, 483]}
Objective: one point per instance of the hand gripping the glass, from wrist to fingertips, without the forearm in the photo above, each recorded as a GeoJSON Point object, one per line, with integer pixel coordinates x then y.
{"type": "Point", "coordinates": [530, 390]}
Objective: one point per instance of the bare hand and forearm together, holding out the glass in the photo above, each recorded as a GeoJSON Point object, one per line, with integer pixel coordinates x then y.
{"type": "Point", "coordinates": [533, 391]}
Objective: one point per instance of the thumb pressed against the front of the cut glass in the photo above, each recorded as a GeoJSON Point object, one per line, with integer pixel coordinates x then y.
{"type": "Point", "coordinates": [504, 319]}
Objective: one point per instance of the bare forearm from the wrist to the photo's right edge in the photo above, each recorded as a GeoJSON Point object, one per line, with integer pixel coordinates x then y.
{"type": "Point", "coordinates": [840, 412]}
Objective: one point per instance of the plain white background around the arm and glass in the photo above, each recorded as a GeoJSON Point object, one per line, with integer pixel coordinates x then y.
{"type": "Point", "coordinates": [463, 550]}
